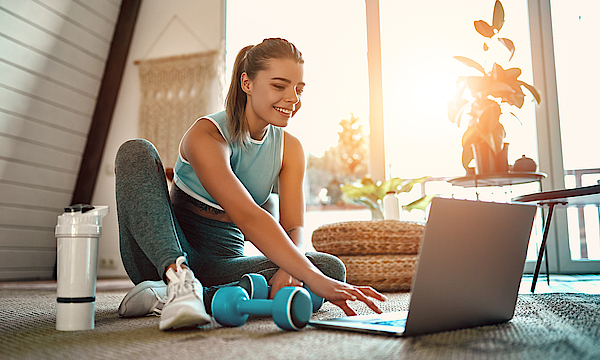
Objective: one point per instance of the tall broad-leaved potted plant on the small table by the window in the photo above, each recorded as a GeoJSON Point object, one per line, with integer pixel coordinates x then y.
{"type": "Point", "coordinates": [490, 91]}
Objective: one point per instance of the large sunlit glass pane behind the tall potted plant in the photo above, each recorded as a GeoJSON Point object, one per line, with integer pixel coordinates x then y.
{"type": "Point", "coordinates": [419, 41]}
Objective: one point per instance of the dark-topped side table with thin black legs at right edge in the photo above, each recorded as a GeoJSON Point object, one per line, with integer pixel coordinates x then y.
{"type": "Point", "coordinates": [588, 195]}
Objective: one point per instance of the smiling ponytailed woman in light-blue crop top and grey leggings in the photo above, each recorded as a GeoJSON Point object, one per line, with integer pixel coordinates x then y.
{"type": "Point", "coordinates": [226, 168]}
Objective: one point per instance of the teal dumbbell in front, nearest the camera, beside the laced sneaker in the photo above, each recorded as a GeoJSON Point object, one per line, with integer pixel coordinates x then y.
{"type": "Point", "coordinates": [291, 308]}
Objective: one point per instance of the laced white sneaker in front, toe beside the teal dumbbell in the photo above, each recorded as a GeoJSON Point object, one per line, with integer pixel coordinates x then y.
{"type": "Point", "coordinates": [185, 305]}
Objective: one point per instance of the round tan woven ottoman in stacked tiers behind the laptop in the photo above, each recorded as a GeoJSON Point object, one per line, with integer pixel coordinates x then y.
{"type": "Point", "coordinates": [378, 253]}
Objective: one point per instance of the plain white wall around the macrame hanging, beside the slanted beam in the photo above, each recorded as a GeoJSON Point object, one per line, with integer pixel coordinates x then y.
{"type": "Point", "coordinates": [198, 26]}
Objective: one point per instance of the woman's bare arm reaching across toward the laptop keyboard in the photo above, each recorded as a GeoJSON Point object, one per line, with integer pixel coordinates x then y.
{"type": "Point", "coordinates": [208, 153]}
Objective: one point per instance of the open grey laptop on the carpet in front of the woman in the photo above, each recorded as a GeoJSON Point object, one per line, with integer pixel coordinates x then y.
{"type": "Point", "coordinates": [468, 271]}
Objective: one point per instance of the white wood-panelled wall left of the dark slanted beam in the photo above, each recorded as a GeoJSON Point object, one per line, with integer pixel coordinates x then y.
{"type": "Point", "coordinates": [52, 58]}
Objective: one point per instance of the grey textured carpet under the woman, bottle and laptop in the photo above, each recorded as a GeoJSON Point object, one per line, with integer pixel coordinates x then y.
{"type": "Point", "coordinates": [545, 326]}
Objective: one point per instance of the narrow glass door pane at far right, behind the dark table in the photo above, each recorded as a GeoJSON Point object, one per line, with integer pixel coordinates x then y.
{"type": "Point", "coordinates": [574, 24]}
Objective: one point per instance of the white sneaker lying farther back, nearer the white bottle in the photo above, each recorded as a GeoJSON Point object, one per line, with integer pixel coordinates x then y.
{"type": "Point", "coordinates": [146, 298]}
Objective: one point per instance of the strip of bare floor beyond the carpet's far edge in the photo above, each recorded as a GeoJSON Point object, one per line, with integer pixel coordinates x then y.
{"type": "Point", "coordinates": [589, 284]}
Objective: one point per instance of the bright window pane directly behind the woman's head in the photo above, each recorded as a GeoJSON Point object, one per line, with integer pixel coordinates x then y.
{"type": "Point", "coordinates": [332, 38]}
